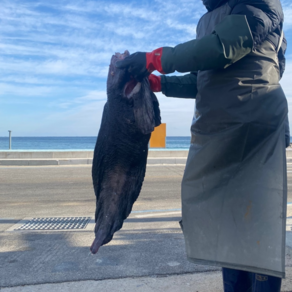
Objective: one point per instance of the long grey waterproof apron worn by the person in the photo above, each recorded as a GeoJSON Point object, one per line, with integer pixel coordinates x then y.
{"type": "Point", "coordinates": [234, 188]}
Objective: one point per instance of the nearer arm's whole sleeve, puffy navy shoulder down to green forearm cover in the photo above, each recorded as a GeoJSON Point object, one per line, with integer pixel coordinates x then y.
{"type": "Point", "coordinates": [248, 26]}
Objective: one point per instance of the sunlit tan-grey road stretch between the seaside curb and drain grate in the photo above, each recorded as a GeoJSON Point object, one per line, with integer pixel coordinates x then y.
{"type": "Point", "coordinates": [67, 191]}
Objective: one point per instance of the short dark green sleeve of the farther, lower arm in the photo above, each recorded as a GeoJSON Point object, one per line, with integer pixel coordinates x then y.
{"type": "Point", "coordinates": [180, 86]}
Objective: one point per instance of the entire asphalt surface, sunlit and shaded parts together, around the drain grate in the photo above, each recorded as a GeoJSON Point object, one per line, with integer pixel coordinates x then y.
{"type": "Point", "coordinates": [150, 242]}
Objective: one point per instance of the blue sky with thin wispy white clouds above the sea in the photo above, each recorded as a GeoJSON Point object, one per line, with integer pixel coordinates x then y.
{"type": "Point", "coordinates": [54, 58]}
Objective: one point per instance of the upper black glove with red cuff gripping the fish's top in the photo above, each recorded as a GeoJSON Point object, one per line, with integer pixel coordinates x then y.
{"type": "Point", "coordinates": [141, 64]}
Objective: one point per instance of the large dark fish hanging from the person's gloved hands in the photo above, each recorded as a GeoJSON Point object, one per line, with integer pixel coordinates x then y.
{"type": "Point", "coordinates": [130, 114]}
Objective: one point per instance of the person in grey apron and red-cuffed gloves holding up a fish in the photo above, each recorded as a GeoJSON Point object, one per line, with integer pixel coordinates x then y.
{"type": "Point", "coordinates": [234, 189]}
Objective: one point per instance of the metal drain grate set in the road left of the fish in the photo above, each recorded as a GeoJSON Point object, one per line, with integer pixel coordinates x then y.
{"type": "Point", "coordinates": [55, 223]}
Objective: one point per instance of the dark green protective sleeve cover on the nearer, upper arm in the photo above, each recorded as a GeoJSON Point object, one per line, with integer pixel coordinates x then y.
{"type": "Point", "coordinates": [230, 41]}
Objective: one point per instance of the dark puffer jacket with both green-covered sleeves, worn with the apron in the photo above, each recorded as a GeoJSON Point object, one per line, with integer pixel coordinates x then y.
{"type": "Point", "coordinates": [248, 25]}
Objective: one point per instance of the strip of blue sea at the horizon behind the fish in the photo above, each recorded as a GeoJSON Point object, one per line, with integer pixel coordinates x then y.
{"type": "Point", "coordinates": [73, 143]}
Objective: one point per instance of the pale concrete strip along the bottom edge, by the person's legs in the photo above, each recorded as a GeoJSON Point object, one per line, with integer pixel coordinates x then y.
{"type": "Point", "coordinates": [199, 282]}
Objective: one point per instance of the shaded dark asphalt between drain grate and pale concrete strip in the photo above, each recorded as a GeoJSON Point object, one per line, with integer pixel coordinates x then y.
{"type": "Point", "coordinates": [46, 257]}
